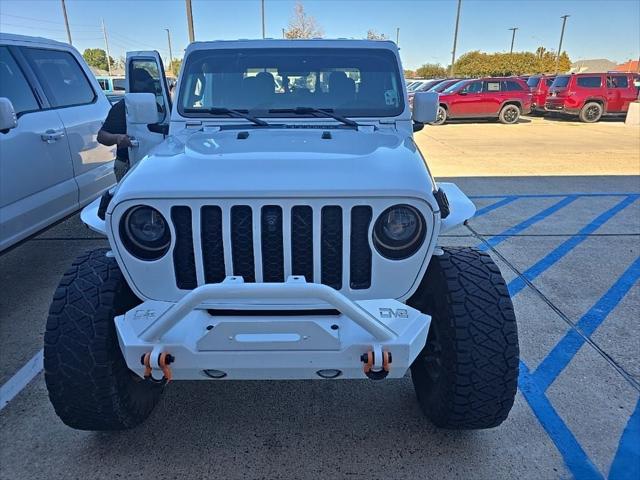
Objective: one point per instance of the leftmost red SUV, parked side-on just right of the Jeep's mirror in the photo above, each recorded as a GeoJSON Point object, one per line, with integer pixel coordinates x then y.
{"type": "Point", "coordinates": [502, 98]}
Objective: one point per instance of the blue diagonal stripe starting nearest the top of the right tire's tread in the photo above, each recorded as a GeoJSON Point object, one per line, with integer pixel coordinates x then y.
{"type": "Point", "coordinates": [517, 284]}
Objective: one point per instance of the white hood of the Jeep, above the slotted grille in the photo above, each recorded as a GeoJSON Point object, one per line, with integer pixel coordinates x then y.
{"type": "Point", "coordinates": [287, 162]}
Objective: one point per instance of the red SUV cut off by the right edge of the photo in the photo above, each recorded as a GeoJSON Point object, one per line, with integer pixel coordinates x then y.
{"type": "Point", "coordinates": [591, 95]}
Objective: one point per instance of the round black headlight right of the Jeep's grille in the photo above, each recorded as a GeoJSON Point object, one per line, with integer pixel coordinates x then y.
{"type": "Point", "coordinates": [399, 232]}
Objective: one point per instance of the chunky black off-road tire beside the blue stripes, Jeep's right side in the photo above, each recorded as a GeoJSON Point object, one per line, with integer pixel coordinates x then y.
{"type": "Point", "coordinates": [466, 375]}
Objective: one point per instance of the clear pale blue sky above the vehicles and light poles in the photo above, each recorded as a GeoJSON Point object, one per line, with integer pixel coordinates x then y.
{"type": "Point", "coordinates": [595, 29]}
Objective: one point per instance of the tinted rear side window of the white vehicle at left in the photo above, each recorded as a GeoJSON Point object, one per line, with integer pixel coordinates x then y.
{"type": "Point", "coordinates": [62, 78]}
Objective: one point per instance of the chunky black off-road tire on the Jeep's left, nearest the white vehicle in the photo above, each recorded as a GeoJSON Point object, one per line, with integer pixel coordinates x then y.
{"type": "Point", "coordinates": [88, 381]}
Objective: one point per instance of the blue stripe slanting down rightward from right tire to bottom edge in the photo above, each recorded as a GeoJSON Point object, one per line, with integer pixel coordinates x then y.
{"type": "Point", "coordinates": [572, 453]}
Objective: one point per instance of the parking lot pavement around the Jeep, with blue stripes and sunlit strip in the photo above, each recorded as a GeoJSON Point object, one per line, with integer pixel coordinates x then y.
{"type": "Point", "coordinates": [567, 242]}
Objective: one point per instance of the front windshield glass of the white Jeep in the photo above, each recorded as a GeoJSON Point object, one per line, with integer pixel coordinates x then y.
{"type": "Point", "coordinates": [362, 82]}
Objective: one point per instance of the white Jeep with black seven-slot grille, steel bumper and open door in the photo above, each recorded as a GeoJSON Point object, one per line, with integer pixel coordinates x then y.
{"type": "Point", "coordinates": [279, 223]}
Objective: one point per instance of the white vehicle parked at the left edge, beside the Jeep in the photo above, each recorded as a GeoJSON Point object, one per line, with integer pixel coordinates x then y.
{"type": "Point", "coordinates": [52, 108]}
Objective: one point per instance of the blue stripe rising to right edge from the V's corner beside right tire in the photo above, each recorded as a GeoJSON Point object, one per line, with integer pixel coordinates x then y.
{"type": "Point", "coordinates": [568, 346]}
